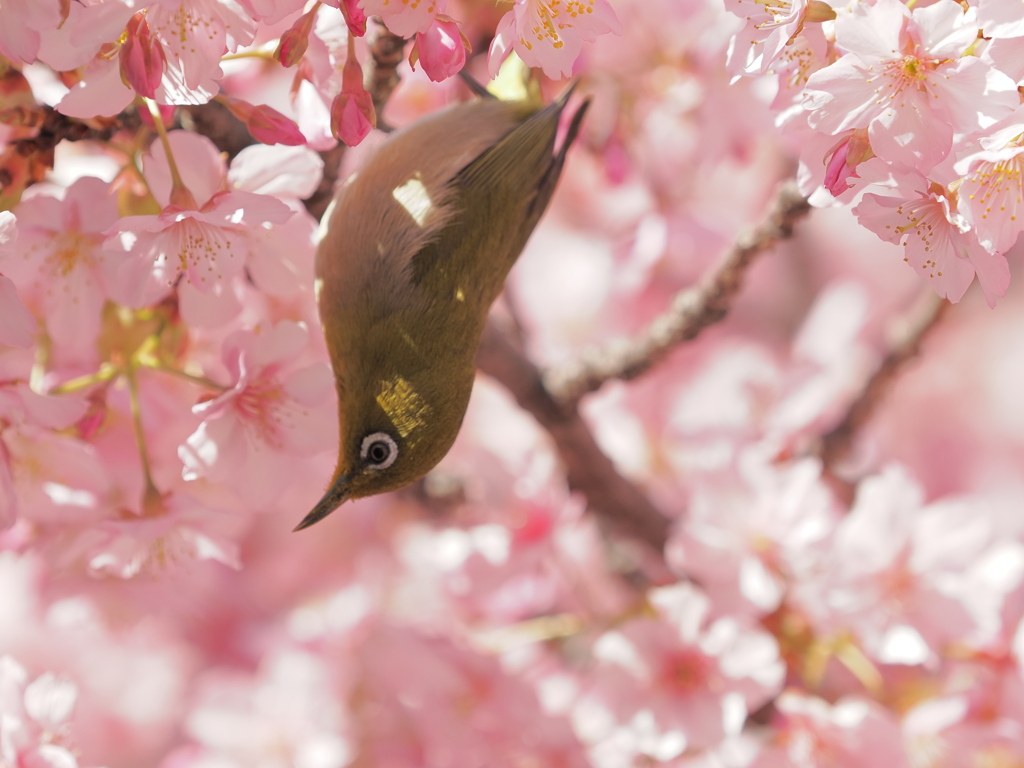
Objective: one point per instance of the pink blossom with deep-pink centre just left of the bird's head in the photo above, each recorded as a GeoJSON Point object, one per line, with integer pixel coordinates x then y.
{"type": "Point", "coordinates": [257, 431]}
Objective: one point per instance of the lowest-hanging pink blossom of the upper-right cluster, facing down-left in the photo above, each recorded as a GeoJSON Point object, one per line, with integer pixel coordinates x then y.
{"type": "Point", "coordinates": [923, 217]}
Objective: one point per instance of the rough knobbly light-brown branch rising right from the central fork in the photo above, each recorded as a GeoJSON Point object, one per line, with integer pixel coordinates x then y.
{"type": "Point", "coordinates": [692, 312]}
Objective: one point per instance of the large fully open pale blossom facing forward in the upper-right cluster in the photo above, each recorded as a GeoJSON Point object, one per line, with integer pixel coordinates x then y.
{"type": "Point", "coordinates": [906, 79]}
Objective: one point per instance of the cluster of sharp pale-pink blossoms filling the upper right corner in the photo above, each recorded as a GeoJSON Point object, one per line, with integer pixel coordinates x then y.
{"type": "Point", "coordinates": [913, 110]}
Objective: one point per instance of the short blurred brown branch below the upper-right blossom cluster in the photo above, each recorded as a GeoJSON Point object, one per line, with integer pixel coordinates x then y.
{"type": "Point", "coordinates": [913, 330]}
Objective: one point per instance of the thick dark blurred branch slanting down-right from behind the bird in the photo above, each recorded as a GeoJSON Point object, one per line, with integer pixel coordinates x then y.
{"type": "Point", "coordinates": [615, 500]}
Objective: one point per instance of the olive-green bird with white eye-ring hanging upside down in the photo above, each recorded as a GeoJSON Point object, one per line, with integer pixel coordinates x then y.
{"type": "Point", "coordinates": [416, 249]}
